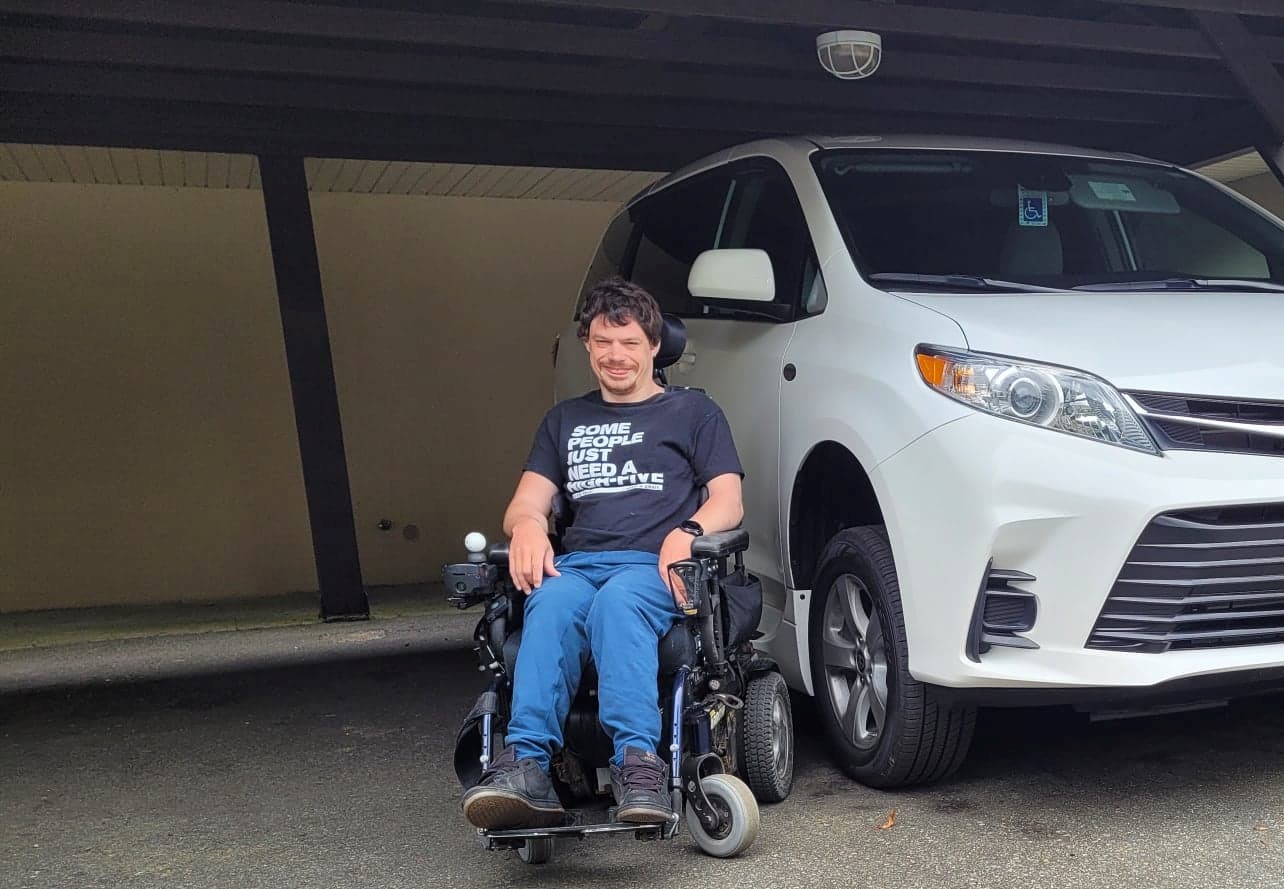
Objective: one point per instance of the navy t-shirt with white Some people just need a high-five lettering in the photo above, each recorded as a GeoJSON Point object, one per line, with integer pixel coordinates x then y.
{"type": "Point", "coordinates": [631, 473]}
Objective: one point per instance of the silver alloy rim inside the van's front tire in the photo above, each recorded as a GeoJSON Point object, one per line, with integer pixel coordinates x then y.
{"type": "Point", "coordinates": [856, 661]}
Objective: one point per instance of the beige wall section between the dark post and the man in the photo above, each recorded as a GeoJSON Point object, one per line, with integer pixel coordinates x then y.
{"type": "Point", "coordinates": [442, 315]}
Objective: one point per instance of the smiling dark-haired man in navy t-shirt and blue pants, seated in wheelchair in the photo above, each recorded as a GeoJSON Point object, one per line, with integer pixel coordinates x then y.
{"type": "Point", "coordinates": [631, 459]}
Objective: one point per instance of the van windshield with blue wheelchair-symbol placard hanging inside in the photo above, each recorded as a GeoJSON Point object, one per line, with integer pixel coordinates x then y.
{"type": "Point", "coordinates": [1001, 220]}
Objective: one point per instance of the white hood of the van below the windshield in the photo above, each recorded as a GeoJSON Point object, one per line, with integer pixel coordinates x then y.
{"type": "Point", "coordinates": [1204, 342]}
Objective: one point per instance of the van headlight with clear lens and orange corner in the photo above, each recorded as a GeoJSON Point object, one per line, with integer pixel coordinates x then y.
{"type": "Point", "coordinates": [1041, 395]}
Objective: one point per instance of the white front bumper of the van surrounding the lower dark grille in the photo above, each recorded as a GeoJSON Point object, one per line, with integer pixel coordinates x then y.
{"type": "Point", "coordinates": [985, 493]}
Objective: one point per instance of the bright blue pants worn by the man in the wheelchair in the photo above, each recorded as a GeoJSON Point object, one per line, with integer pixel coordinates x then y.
{"type": "Point", "coordinates": [616, 607]}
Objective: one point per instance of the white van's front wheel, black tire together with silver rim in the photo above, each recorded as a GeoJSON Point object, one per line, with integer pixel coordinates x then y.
{"type": "Point", "coordinates": [887, 729]}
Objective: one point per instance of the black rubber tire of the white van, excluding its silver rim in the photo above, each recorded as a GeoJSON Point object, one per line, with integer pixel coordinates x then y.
{"type": "Point", "coordinates": [923, 739]}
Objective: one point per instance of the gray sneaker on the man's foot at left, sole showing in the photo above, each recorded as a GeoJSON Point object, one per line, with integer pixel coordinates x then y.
{"type": "Point", "coordinates": [513, 793]}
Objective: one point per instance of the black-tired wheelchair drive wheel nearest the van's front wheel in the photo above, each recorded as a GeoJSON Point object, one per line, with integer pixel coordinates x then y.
{"type": "Point", "coordinates": [767, 741]}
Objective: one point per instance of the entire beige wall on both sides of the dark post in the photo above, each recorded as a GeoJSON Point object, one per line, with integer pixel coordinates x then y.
{"type": "Point", "coordinates": [148, 449]}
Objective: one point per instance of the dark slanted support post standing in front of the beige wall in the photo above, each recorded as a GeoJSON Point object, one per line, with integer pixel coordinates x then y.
{"type": "Point", "coordinates": [317, 400]}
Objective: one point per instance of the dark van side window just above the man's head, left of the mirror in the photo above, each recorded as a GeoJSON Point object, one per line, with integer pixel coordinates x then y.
{"type": "Point", "coordinates": [677, 225]}
